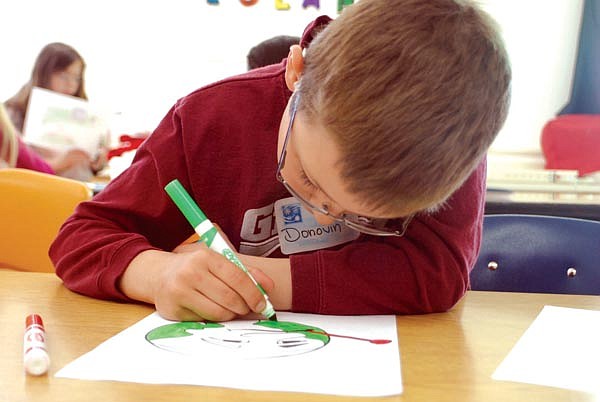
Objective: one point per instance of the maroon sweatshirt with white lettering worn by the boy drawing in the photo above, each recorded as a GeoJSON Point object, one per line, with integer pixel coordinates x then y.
{"type": "Point", "coordinates": [221, 143]}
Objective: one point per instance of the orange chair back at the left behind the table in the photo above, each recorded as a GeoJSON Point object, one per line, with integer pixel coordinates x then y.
{"type": "Point", "coordinates": [33, 206]}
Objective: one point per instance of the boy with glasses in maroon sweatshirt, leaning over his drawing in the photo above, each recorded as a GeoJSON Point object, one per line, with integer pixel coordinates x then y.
{"type": "Point", "coordinates": [378, 122]}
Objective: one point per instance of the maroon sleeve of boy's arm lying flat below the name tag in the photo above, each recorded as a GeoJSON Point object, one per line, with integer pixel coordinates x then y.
{"type": "Point", "coordinates": [425, 271]}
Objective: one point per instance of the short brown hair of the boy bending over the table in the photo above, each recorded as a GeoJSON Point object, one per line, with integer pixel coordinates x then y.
{"type": "Point", "coordinates": [413, 91]}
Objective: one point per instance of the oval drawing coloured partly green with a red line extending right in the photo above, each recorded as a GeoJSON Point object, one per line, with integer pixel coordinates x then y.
{"type": "Point", "coordinates": [265, 339]}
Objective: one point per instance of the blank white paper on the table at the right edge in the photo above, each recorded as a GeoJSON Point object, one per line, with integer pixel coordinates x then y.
{"type": "Point", "coordinates": [560, 349]}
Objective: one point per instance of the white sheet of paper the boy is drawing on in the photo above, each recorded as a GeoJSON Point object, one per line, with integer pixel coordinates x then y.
{"type": "Point", "coordinates": [243, 354]}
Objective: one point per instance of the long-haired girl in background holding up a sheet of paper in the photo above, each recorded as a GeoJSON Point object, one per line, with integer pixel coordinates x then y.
{"type": "Point", "coordinates": [59, 68]}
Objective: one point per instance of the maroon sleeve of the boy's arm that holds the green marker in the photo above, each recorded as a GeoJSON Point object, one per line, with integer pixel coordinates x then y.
{"type": "Point", "coordinates": [96, 244]}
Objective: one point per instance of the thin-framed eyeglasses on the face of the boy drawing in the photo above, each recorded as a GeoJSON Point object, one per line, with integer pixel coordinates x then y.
{"type": "Point", "coordinates": [363, 224]}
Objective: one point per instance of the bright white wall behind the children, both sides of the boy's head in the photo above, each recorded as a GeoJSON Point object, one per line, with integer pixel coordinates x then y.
{"type": "Point", "coordinates": [143, 55]}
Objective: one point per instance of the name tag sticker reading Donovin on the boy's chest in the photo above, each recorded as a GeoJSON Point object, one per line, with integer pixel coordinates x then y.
{"type": "Point", "coordinates": [299, 231]}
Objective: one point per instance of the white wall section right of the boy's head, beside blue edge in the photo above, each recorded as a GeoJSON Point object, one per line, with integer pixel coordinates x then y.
{"type": "Point", "coordinates": [541, 37]}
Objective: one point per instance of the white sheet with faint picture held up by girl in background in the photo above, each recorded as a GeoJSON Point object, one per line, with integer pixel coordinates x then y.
{"type": "Point", "coordinates": [61, 122]}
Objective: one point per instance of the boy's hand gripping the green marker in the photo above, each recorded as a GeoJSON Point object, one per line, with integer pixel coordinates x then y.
{"type": "Point", "coordinates": [199, 283]}
